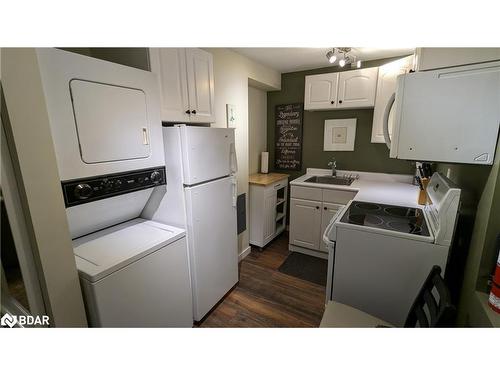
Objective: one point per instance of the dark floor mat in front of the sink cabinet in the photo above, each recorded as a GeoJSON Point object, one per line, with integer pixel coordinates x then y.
{"type": "Point", "coordinates": [305, 267]}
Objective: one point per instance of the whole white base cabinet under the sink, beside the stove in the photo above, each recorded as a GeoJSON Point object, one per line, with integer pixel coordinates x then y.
{"type": "Point", "coordinates": [311, 210]}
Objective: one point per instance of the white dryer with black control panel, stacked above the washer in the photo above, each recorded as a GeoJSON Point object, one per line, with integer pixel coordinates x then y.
{"type": "Point", "coordinates": [105, 122]}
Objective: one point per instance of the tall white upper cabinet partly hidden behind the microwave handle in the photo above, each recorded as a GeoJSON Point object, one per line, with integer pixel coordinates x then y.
{"type": "Point", "coordinates": [386, 86]}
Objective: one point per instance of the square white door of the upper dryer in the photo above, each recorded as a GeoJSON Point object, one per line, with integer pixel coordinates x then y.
{"type": "Point", "coordinates": [111, 121]}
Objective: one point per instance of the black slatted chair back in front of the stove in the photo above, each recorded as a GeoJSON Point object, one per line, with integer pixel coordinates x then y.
{"type": "Point", "coordinates": [432, 307]}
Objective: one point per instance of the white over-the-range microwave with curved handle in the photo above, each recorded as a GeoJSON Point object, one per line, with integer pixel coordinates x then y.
{"type": "Point", "coordinates": [448, 115]}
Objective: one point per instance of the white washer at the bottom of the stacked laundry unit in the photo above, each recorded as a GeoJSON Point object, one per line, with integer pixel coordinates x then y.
{"type": "Point", "coordinates": [135, 275]}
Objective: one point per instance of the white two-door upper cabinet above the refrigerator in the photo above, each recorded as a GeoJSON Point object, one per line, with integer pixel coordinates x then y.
{"type": "Point", "coordinates": [186, 83]}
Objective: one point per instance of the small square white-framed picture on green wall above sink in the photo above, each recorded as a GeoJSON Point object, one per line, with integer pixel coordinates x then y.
{"type": "Point", "coordinates": [339, 135]}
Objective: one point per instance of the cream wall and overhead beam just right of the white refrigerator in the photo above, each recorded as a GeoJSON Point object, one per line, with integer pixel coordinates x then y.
{"type": "Point", "coordinates": [232, 73]}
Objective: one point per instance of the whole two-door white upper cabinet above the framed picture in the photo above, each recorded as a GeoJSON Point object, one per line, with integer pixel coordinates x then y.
{"type": "Point", "coordinates": [347, 89]}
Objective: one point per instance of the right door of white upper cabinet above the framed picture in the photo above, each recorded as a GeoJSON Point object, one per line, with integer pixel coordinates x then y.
{"type": "Point", "coordinates": [357, 88]}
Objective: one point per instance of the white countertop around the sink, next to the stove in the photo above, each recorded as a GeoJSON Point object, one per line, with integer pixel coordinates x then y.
{"type": "Point", "coordinates": [394, 189]}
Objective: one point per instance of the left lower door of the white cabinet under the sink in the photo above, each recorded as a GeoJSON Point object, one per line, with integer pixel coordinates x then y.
{"type": "Point", "coordinates": [305, 223]}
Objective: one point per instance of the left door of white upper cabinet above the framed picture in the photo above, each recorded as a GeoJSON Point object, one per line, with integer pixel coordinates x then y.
{"type": "Point", "coordinates": [321, 91]}
